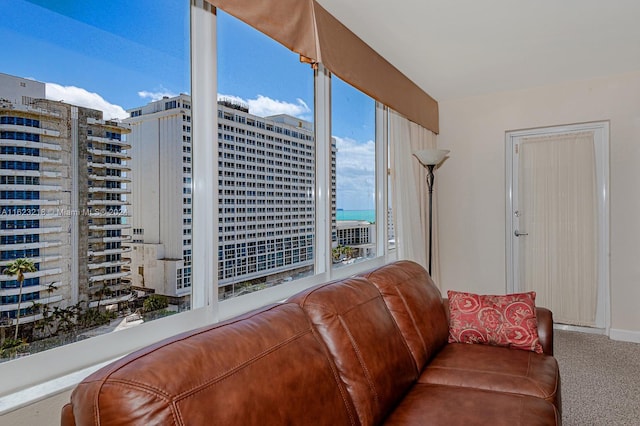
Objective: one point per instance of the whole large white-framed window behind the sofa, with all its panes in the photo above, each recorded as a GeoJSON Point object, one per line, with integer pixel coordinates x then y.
{"type": "Point", "coordinates": [160, 202]}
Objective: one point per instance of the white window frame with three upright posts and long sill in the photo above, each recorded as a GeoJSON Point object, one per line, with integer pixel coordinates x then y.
{"type": "Point", "coordinates": [26, 381]}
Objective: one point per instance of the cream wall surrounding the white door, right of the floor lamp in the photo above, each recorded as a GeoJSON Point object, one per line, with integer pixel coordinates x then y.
{"type": "Point", "coordinates": [471, 183]}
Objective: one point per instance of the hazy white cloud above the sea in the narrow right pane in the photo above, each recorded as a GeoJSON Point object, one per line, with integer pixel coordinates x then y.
{"type": "Point", "coordinates": [355, 174]}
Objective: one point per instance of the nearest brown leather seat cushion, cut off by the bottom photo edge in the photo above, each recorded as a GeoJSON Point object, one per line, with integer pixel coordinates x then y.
{"type": "Point", "coordinates": [437, 405]}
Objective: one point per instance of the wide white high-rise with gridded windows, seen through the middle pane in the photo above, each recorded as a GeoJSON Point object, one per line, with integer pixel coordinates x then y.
{"type": "Point", "coordinates": [266, 187]}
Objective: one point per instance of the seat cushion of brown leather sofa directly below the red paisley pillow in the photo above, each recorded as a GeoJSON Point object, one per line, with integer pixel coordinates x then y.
{"type": "Point", "coordinates": [495, 368]}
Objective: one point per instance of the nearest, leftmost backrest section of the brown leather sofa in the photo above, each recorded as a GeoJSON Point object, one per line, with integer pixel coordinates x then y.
{"type": "Point", "coordinates": [265, 367]}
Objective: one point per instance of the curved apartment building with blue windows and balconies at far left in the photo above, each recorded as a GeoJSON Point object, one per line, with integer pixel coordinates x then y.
{"type": "Point", "coordinates": [62, 187]}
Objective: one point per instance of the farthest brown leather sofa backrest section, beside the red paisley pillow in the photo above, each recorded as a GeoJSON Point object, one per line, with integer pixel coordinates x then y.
{"type": "Point", "coordinates": [416, 305]}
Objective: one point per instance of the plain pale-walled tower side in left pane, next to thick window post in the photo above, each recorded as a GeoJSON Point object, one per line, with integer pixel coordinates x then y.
{"type": "Point", "coordinates": [161, 197]}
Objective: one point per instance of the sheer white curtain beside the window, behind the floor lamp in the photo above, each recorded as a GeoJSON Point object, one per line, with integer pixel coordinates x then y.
{"type": "Point", "coordinates": [409, 195]}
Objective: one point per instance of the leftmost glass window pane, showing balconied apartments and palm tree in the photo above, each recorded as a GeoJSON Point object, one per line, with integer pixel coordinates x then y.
{"type": "Point", "coordinates": [77, 82]}
